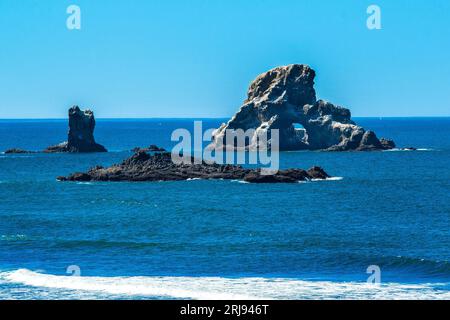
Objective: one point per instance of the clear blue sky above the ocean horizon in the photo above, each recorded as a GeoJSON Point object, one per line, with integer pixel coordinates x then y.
{"type": "Point", "coordinates": [196, 58]}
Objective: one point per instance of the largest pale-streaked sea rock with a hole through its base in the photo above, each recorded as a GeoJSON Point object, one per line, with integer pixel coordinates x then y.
{"type": "Point", "coordinates": [285, 96]}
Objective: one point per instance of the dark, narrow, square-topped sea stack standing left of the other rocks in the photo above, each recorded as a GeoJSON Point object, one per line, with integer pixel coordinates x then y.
{"type": "Point", "coordinates": [81, 133]}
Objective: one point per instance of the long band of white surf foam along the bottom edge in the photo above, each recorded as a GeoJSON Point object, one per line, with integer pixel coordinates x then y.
{"type": "Point", "coordinates": [217, 288]}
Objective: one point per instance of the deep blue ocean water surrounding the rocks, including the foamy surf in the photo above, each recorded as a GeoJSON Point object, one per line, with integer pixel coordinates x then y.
{"type": "Point", "coordinates": [225, 239]}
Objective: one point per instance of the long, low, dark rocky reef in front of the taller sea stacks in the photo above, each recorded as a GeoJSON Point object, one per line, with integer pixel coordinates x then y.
{"type": "Point", "coordinates": [159, 167]}
